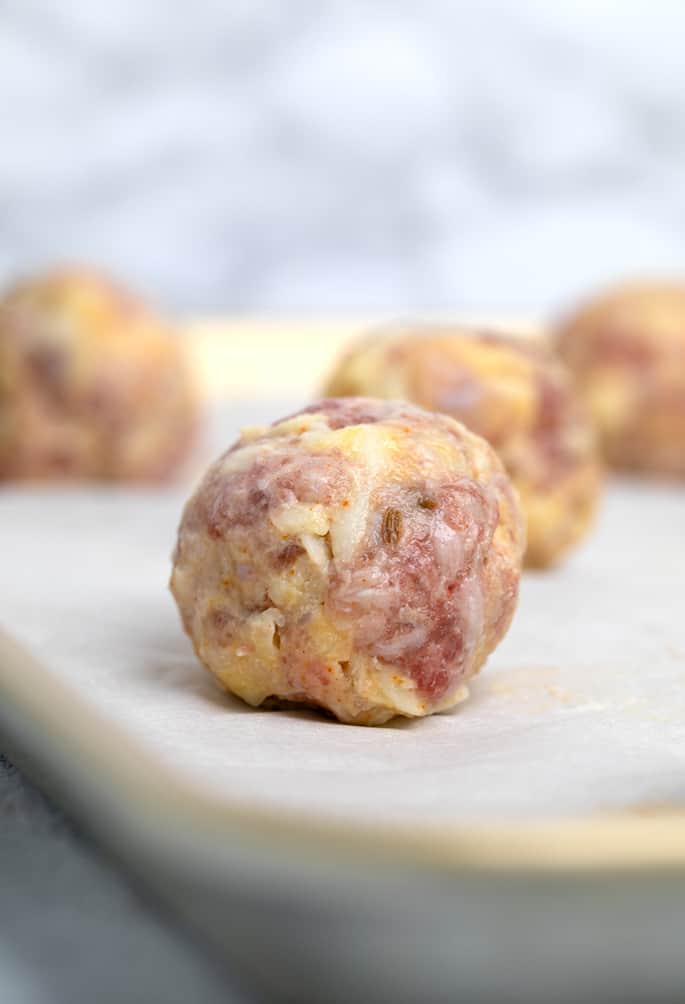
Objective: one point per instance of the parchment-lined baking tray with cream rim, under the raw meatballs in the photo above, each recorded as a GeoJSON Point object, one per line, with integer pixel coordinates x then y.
{"type": "Point", "coordinates": [530, 846]}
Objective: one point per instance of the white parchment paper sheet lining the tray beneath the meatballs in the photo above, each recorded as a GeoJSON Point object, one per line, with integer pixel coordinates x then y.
{"type": "Point", "coordinates": [581, 709]}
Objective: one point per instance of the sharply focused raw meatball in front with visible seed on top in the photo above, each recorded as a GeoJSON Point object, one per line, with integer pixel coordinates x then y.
{"type": "Point", "coordinates": [362, 557]}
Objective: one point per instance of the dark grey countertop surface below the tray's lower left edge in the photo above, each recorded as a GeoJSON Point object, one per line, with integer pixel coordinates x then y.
{"type": "Point", "coordinates": [72, 929]}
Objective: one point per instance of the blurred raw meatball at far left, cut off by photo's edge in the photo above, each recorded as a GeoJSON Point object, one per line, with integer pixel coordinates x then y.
{"type": "Point", "coordinates": [92, 384]}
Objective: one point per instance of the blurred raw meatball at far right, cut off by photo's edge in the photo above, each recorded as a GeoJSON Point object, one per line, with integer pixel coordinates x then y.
{"type": "Point", "coordinates": [627, 351]}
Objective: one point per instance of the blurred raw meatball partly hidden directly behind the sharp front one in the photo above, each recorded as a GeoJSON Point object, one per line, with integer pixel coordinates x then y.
{"type": "Point", "coordinates": [512, 391]}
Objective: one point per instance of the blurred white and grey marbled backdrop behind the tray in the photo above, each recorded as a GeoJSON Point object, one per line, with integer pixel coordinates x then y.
{"type": "Point", "coordinates": [272, 157]}
